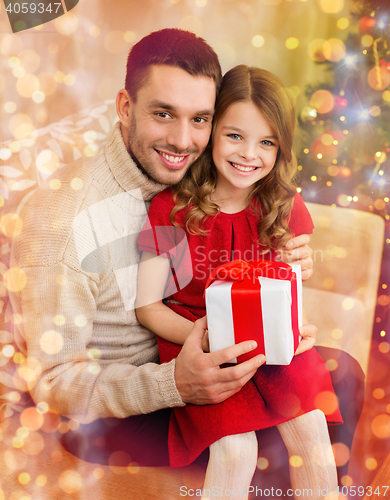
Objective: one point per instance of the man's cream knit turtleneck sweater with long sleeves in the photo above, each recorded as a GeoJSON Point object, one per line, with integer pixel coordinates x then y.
{"type": "Point", "coordinates": [89, 356]}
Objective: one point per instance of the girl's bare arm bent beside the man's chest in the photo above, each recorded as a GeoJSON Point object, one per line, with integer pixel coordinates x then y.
{"type": "Point", "coordinates": [151, 312]}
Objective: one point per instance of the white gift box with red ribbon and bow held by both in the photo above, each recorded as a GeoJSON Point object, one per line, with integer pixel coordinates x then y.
{"type": "Point", "coordinates": [259, 301]}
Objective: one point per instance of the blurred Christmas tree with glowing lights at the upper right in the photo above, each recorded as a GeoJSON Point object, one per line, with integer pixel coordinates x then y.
{"type": "Point", "coordinates": [345, 152]}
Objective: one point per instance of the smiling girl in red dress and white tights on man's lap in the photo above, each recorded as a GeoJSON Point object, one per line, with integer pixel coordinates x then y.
{"type": "Point", "coordinates": [237, 201]}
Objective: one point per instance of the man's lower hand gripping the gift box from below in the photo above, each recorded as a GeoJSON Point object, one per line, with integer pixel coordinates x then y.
{"type": "Point", "coordinates": [200, 379]}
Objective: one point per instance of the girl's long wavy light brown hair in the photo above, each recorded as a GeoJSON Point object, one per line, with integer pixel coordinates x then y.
{"type": "Point", "coordinates": [276, 190]}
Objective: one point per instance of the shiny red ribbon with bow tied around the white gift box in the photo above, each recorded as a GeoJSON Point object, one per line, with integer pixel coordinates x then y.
{"type": "Point", "coordinates": [246, 298]}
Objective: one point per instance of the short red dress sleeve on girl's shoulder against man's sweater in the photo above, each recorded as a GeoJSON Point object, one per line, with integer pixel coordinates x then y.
{"type": "Point", "coordinates": [158, 236]}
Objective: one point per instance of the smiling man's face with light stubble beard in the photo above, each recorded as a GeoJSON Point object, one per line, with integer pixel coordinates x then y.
{"type": "Point", "coordinates": [171, 121]}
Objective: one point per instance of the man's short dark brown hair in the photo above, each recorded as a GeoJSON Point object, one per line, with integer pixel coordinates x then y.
{"type": "Point", "coordinates": [172, 47]}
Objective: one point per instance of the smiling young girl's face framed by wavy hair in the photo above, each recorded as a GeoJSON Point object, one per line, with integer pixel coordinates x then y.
{"type": "Point", "coordinates": [245, 148]}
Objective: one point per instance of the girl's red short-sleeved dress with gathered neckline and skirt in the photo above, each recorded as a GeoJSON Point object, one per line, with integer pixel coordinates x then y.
{"type": "Point", "coordinates": [276, 393]}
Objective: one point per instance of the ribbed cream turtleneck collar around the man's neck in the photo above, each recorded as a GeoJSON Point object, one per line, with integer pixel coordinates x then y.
{"type": "Point", "coordinates": [125, 171]}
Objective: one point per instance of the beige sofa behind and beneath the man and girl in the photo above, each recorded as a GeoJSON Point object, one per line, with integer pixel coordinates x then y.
{"type": "Point", "coordinates": [340, 299]}
